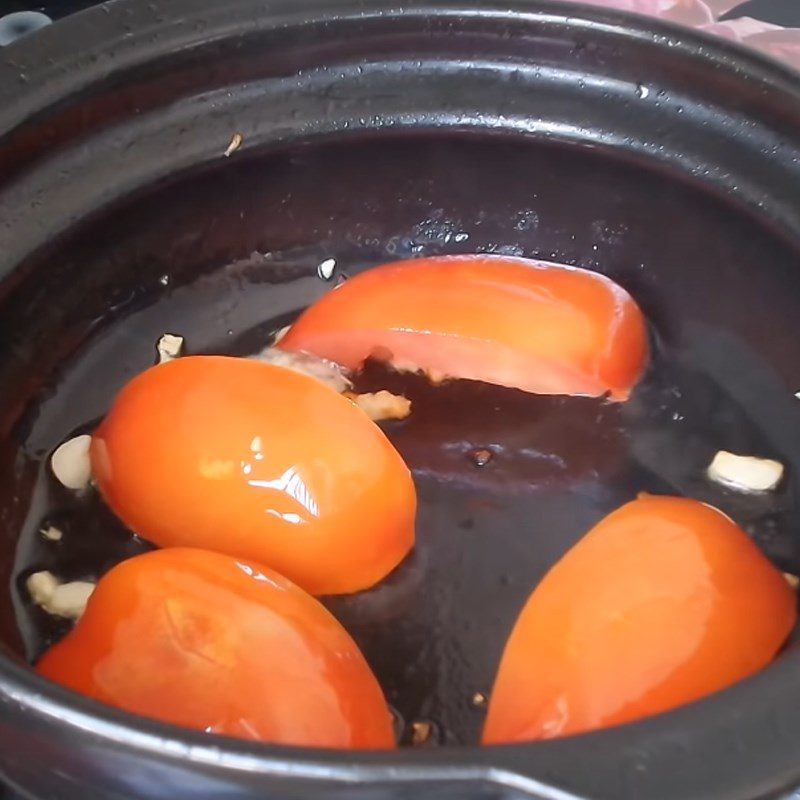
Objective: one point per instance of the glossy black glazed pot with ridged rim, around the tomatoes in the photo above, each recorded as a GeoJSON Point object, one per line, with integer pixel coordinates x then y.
{"type": "Point", "coordinates": [372, 131]}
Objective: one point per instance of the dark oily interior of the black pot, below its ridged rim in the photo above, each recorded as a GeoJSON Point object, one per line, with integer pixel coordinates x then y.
{"type": "Point", "coordinates": [226, 255]}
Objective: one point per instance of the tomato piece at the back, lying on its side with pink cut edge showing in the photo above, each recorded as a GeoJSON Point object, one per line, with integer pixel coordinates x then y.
{"type": "Point", "coordinates": [544, 328]}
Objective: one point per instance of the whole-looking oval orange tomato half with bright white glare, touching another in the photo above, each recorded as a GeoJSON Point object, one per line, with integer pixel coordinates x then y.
{"type": "Point", "coordinates": [259, 462]}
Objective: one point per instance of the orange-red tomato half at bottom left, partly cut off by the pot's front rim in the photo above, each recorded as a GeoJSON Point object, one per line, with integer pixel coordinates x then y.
{"type": "Point", "coordinates": [206, 641]}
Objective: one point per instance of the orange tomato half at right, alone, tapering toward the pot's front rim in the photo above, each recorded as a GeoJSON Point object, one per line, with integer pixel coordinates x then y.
{"type": "Point", "coordinates": [665, 601]}
